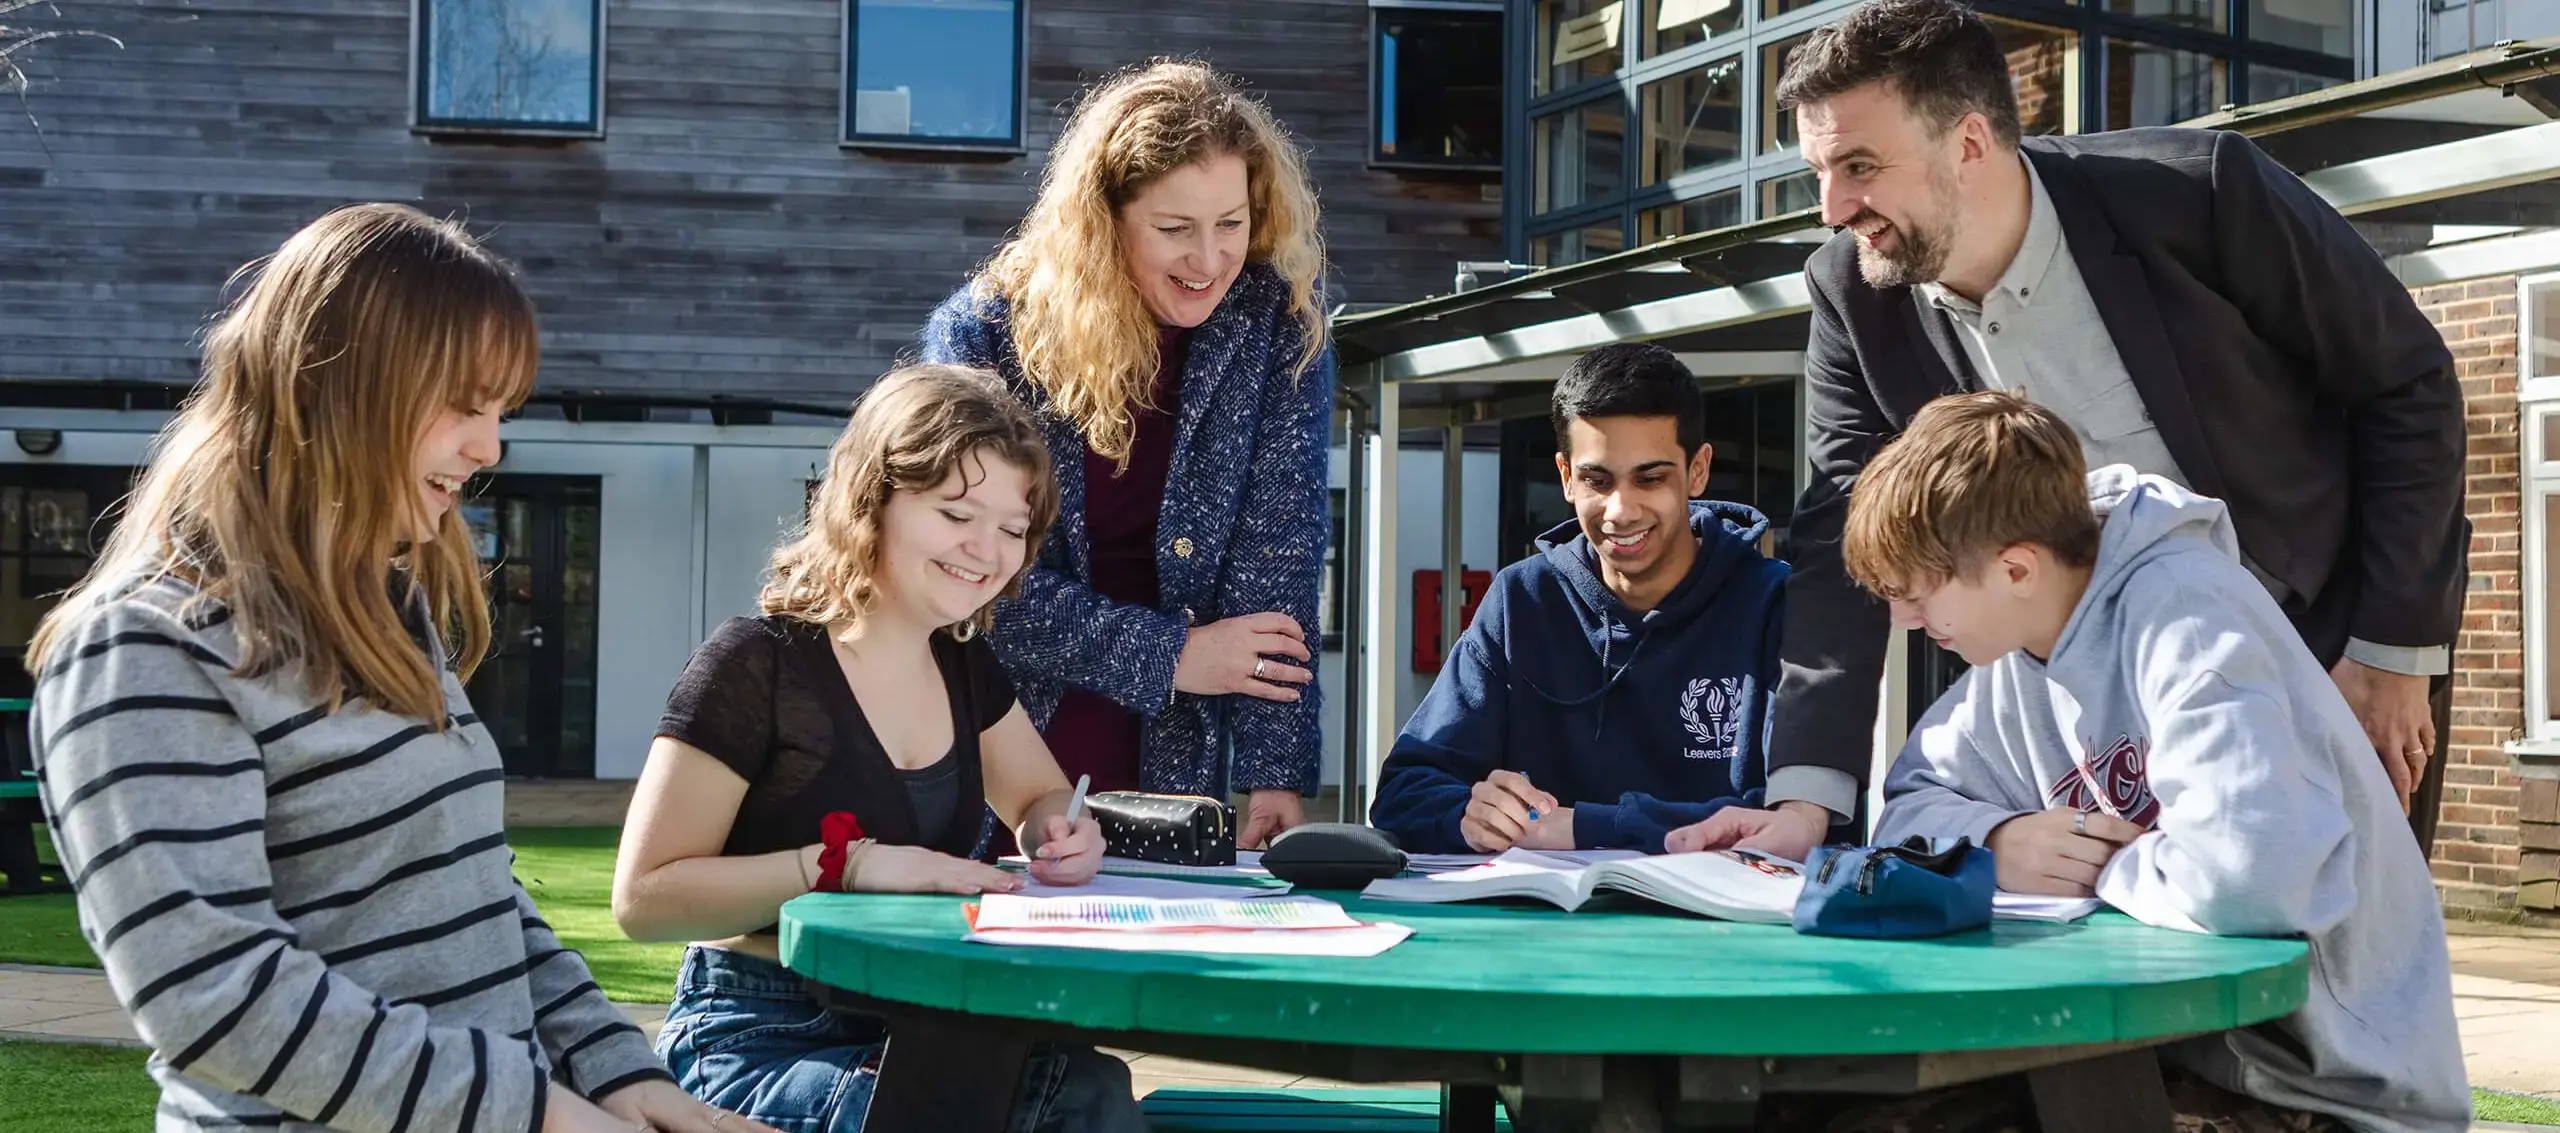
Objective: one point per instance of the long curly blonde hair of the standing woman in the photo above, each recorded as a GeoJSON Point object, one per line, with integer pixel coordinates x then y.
{"type": "Point", "coordinates": [1074, 313]}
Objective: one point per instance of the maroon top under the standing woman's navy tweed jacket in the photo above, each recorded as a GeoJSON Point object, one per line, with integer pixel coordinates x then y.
{"type": "Point", "coordinates": [1089, 733]}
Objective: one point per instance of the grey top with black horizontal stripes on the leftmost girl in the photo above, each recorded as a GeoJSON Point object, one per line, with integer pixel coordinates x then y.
{"type": "Point", "coordinates": [308, 914]}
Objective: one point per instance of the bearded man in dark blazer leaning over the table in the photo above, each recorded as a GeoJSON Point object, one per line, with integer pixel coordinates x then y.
{"type": "Point", "coordinates": [2182, 301]}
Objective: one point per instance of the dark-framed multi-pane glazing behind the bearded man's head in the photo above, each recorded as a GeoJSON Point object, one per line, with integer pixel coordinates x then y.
{"type": "Point", "coordinates": [2080, 65]}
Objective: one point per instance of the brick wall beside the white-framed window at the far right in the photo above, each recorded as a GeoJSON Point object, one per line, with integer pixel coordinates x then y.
{"type": "Point", "coordinates": [2477, 853]}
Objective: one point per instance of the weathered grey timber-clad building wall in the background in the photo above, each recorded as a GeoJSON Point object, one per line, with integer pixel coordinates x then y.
{"type": "Point", "coordinates": [716, 242]}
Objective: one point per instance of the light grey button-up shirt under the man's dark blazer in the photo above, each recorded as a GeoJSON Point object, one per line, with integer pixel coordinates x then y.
{"type": "Point", "coordinates": [2039, 336]}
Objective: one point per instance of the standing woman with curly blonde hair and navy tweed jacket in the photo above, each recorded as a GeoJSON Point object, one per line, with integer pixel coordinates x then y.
{"type": "Point", "coordinates": [1161, 311]}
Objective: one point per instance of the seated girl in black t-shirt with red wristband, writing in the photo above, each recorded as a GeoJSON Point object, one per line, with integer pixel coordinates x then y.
{"type": "Point", "coordinates": [861, 692]}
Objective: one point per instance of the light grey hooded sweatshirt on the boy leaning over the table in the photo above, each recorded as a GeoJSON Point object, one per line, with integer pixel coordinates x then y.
{"type": "Point", "coordinates": [2182, 699]}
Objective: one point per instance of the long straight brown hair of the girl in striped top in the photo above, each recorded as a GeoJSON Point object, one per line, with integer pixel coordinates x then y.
{"type": "Point", "coordinates": [285, 490]}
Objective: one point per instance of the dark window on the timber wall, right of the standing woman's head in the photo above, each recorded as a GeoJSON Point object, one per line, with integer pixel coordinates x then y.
{"type": "Point", "coordinates": [1440, 88]}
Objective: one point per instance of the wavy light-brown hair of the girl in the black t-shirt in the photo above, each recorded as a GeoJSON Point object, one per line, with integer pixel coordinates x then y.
{"type": "Point", "coordinates": [910, 434]}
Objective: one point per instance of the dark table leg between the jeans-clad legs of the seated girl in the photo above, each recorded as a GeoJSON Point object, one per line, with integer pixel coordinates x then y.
{"type": "Point", "coordinates": [943, 1075]}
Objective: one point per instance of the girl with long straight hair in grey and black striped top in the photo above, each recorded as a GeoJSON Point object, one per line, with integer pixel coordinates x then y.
{"type": "Point", "coordinates": [278, 809]}
